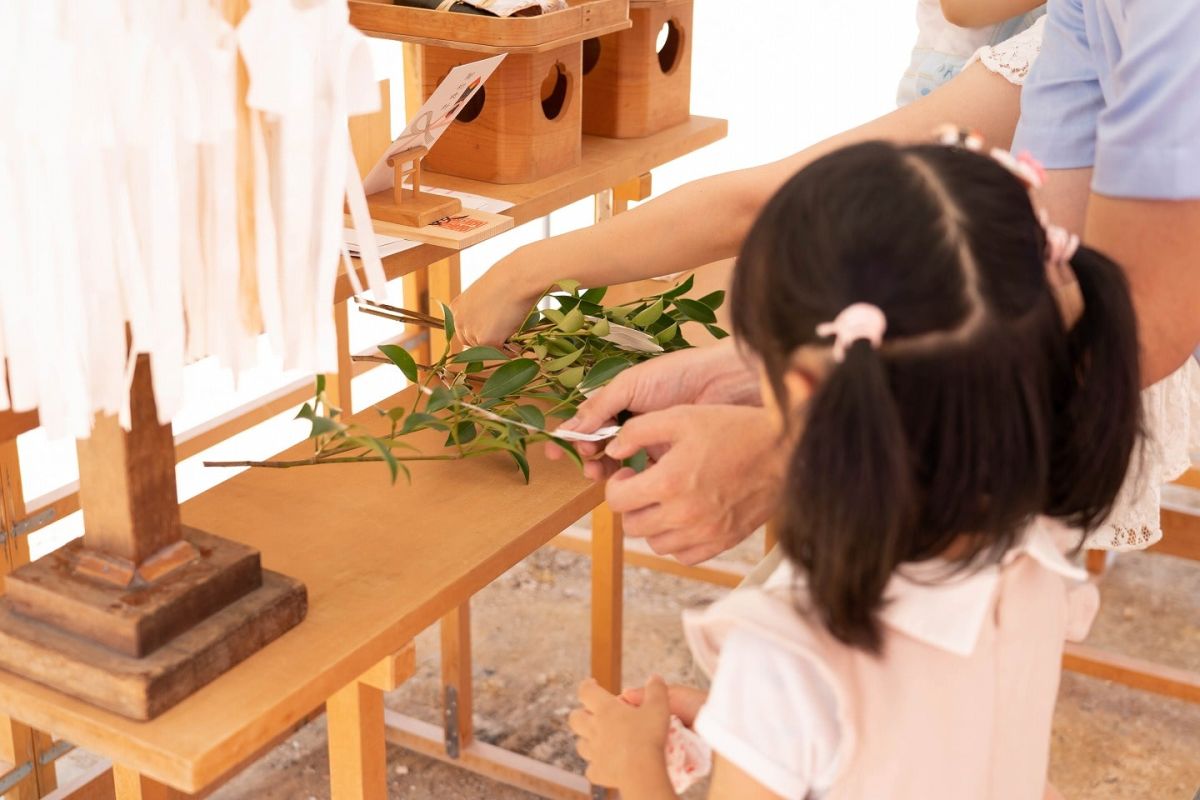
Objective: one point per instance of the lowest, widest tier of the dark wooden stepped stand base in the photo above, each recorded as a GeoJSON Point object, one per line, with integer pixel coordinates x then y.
{"type": "Point", "coordinates": [142, 689]}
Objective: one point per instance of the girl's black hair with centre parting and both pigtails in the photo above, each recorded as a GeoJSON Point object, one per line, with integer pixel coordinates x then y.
{"type": "Point", "coordinates": [980, 411]}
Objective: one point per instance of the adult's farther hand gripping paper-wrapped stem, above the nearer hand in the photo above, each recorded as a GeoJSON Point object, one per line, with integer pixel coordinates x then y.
{"type": "Point", "coordinates": [699, 376]}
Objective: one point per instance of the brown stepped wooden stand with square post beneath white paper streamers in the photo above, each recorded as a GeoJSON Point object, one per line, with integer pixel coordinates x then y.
{"type": "Point", "coordinates": [142, 611]}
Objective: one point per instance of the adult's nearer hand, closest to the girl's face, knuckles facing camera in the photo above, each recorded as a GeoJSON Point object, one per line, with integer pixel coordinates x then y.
{"type": "Point", "coordinates": [717, 477]}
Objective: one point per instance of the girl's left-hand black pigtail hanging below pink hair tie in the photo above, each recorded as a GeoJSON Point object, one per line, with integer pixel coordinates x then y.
{"type": "Point", "coordinates": [850, 496]}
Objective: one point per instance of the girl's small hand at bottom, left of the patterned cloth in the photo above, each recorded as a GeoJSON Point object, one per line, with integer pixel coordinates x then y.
{"type": "Point", "coordinates": [625, 744]}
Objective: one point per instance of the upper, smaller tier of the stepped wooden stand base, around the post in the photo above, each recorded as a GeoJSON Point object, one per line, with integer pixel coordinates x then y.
{"type": "Point", "coordinates": [139, 621]}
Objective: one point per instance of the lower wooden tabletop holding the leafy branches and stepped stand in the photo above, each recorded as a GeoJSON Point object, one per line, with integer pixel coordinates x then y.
{"type": "Point", "coordinates": [382, 563]}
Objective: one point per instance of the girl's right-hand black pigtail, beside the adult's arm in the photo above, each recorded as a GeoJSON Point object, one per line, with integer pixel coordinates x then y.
{"type": "Point", "coordinates": [1100, 422]}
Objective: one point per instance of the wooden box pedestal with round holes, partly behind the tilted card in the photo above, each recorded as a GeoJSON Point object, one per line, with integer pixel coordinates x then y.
{"type": "Point", "coordinates": [523, 127]}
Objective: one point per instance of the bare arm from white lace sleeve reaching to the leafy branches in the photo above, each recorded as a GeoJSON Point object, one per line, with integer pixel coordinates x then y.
{"type": "Point", "coordinates": [707, 220]}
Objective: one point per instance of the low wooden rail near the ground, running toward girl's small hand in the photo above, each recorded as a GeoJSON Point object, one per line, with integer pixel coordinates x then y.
{"type": "Point", "coordinates": [493, 762]}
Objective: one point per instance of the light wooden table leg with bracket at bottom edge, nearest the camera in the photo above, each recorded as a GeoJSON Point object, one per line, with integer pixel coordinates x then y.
{"type": "Point", "coordinates": [358, 751]}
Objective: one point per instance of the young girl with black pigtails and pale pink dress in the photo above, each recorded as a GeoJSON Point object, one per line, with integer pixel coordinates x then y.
{"type": "Point", "coordinates": [961, 389]}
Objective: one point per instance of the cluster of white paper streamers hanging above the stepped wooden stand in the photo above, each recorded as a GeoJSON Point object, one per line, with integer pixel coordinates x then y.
{"type": "Point", "coordinates": [119, 219]}
